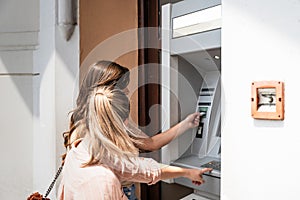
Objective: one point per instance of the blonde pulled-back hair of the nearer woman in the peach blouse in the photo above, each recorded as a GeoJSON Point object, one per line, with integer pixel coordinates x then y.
{"type": "Point", "coordinates": [107, 110]}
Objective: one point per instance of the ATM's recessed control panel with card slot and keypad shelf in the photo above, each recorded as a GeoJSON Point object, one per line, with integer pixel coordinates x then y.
{"type": "Point", "coordinates": [205, 150]}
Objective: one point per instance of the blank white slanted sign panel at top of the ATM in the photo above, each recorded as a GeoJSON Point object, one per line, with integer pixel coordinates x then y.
{"type": "Point", "coordinates": [197, 22]}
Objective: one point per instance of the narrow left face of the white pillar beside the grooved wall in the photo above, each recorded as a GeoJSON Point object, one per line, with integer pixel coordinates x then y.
{"type": "Point", "coordinates": [44, 161]}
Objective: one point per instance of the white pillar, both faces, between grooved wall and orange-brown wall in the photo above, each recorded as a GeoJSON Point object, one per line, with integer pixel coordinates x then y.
{"type": "Point", "coordinates": [57, 60]}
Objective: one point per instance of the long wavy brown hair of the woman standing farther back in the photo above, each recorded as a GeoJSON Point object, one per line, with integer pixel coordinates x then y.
{"type": "Point", "coordinates": [101, 73]}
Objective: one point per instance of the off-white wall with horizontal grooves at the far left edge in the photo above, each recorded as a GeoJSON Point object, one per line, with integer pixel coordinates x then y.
{"type": "Point", "coordinates": [19, 27]}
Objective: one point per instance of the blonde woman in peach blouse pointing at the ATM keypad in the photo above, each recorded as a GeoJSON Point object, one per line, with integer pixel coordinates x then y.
{"type": "Point", "coordinates": [108, 153]}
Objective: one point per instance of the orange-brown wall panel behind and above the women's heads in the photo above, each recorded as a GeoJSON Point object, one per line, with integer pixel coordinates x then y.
{"type": "Point", "coordinates": [108, 31]}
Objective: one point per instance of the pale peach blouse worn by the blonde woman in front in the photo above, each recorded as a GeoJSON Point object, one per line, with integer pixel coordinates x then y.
{"type": "Point", "coordinates": [102, 182]}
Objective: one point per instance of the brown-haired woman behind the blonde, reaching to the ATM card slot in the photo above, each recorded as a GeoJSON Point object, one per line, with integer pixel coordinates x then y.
{"type": "Point", "coordinates": [107, 73]}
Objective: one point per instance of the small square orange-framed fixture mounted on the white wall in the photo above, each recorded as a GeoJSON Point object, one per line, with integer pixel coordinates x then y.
{"type": "Point", "coordinates": [267, 100]}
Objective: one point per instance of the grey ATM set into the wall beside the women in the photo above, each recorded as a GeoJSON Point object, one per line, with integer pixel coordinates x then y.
{"type": "Point", "coordinates": [191, 72]}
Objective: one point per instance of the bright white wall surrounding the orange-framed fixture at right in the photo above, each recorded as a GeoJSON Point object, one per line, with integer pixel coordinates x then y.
{"type": "Point", "coordinates": [260, 41]}
